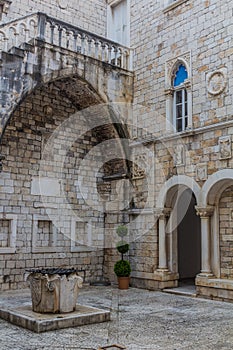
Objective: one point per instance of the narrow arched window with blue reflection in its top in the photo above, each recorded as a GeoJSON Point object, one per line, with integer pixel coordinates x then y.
{"type": "Point", "coordinates": [180, 99]}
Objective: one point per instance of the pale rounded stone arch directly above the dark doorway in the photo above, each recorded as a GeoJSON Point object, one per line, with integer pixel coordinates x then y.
{"type": "Point", "coordinates": [180, 180]}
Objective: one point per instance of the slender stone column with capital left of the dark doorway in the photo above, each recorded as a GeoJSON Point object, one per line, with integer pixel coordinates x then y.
{"type": "Point", "coordinates": [162, 239]}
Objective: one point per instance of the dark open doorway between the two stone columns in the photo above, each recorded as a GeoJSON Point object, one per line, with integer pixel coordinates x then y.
{"type": "Point", "coordinates": [189, 239]}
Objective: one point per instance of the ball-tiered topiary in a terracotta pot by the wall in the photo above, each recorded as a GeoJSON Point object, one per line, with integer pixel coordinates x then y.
{"type": "Point", "coordinates": [122, 267]}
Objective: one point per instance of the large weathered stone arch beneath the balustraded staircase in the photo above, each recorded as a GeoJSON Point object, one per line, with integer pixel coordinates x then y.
{"type": "Point", "coordinates": [75, 80]}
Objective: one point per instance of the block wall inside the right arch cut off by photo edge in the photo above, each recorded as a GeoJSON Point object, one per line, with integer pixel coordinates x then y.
{"type": "Point", "coordinates": [226, 232]}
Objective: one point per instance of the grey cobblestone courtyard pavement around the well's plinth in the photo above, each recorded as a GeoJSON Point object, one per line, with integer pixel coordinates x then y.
{"type": "Point", "coordinates": [141, 320]}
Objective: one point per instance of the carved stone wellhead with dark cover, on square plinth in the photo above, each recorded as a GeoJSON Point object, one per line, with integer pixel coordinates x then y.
{"type": "Point", "coordinates": [54, 290]}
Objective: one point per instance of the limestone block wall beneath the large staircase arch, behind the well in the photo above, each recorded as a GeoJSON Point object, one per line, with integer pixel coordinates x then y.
{"type": "Point", "coordinates": [54, 226]}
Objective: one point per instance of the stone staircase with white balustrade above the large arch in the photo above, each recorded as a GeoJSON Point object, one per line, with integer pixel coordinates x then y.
{"type": "Point", "coordinates": [23, 61]}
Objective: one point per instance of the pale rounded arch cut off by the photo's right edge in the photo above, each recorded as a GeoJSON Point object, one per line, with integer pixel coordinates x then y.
{"type": "Point", "coordinates": [215, 185]}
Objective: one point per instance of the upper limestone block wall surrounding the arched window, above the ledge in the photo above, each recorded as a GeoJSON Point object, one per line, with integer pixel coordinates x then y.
{"type": "Point", "coordinates": [199, 30]}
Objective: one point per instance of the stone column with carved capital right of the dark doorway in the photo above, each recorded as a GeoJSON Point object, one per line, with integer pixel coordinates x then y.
{"type": "Point", "coordinates": [205, 214]}
